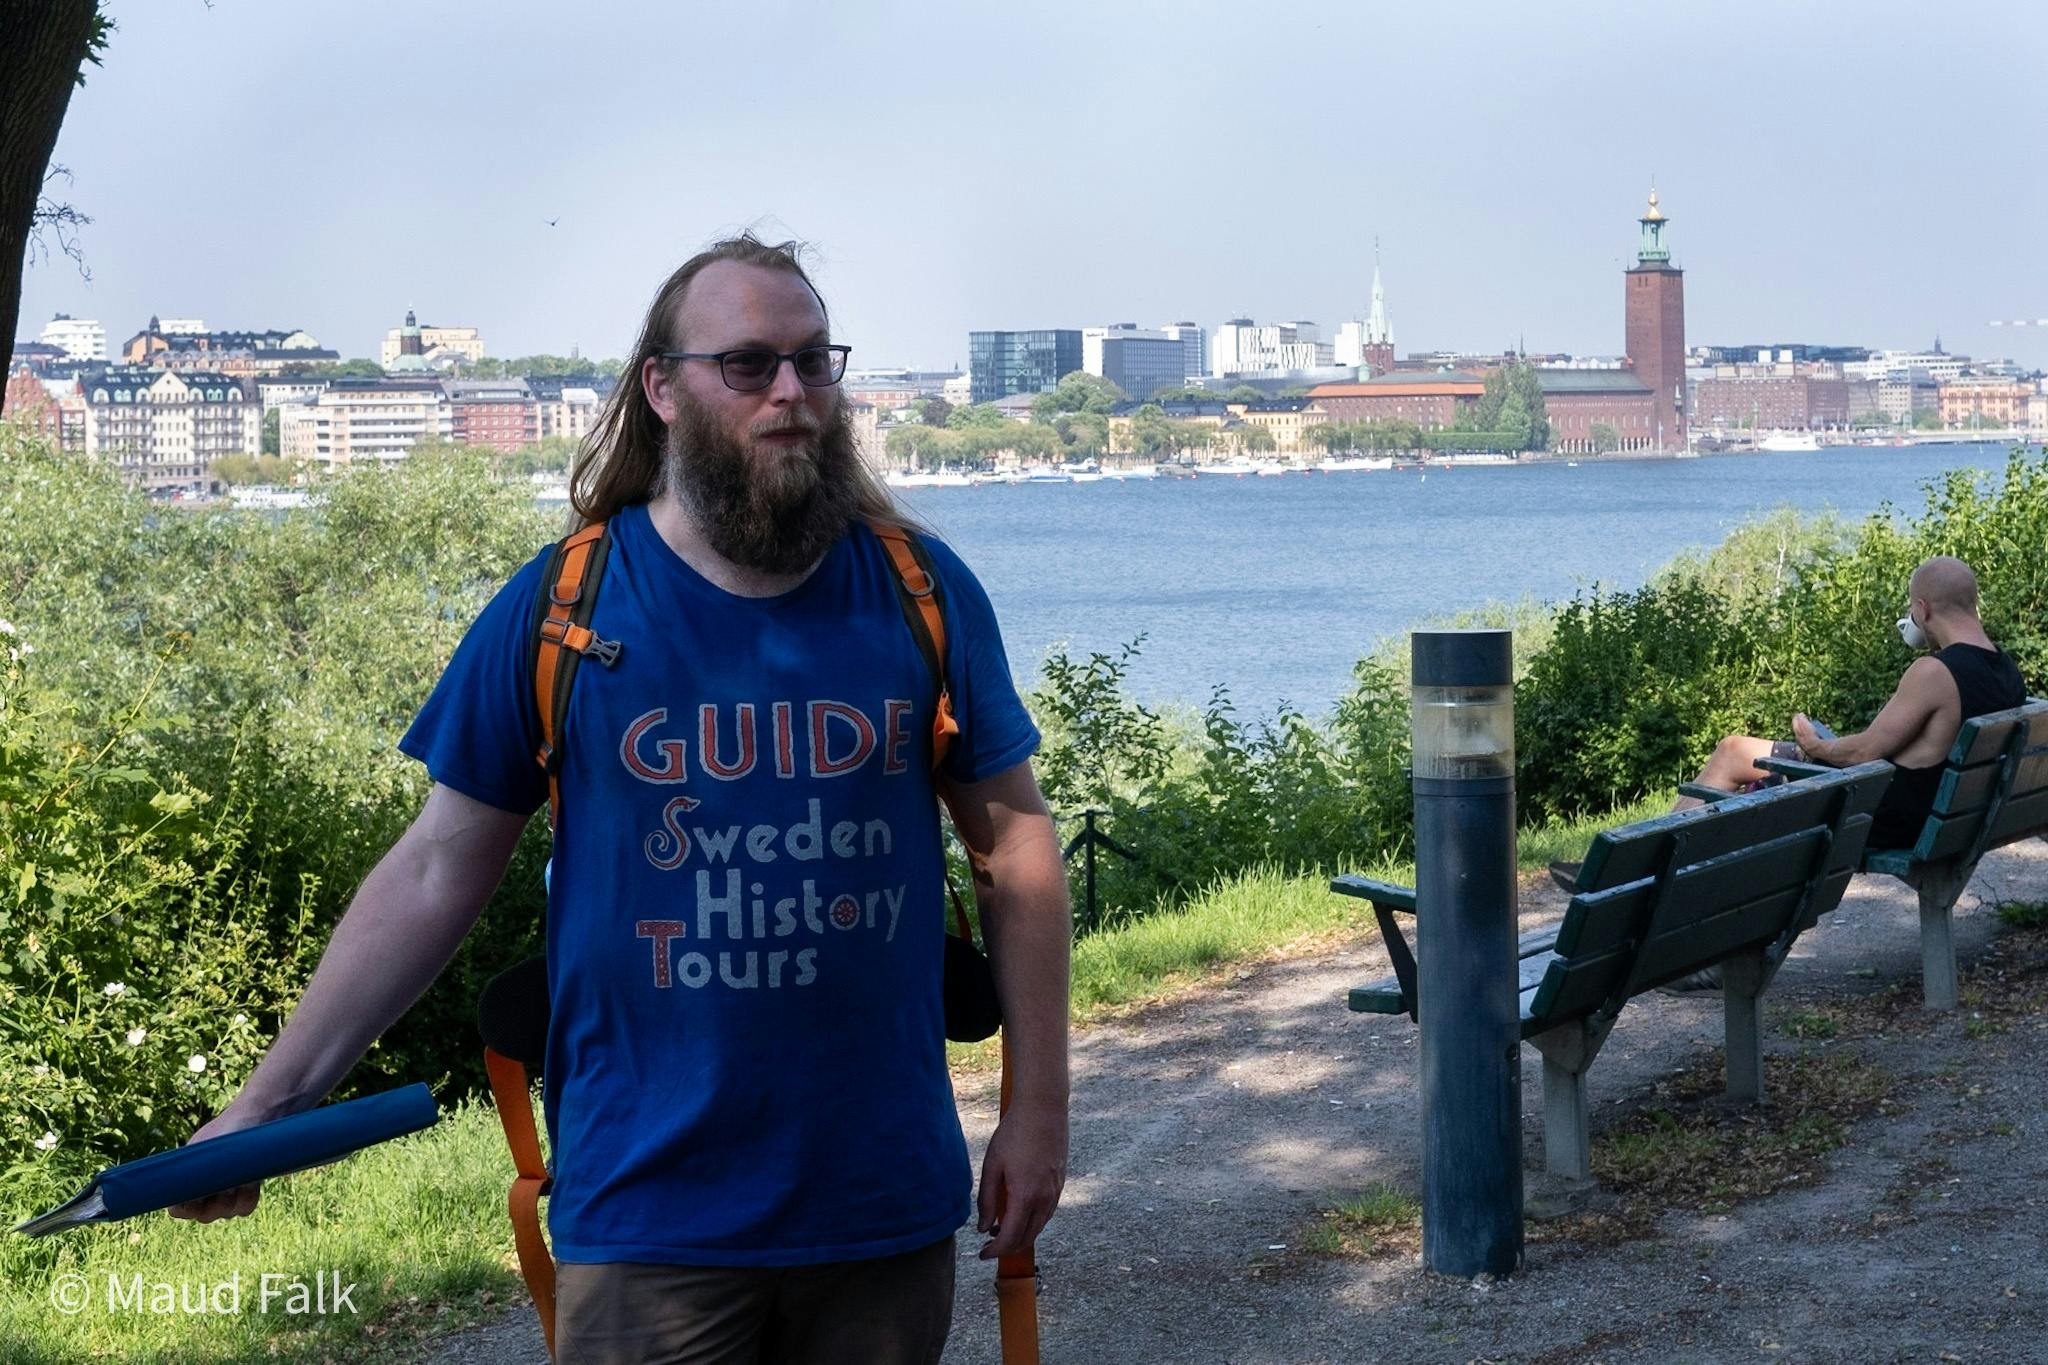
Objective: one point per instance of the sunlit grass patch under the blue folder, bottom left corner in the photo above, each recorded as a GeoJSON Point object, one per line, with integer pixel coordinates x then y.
{"type": "Point", "coordinates": [417, 1225]}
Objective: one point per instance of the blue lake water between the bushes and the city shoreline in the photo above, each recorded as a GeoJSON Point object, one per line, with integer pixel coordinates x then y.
{"type": "Point", "coordinates": [1277, 586]}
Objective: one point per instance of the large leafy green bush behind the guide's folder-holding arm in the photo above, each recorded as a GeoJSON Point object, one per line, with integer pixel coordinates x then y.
{"type": "Point", "coordinates": [198, 768]}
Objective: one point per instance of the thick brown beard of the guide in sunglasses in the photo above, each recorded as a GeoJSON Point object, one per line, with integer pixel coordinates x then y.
{"type": "Point", "coordinates": [775, 509]}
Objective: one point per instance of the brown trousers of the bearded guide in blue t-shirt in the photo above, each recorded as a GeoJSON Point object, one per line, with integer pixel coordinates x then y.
{"type": "Point", "coordinates": [894, 1311]}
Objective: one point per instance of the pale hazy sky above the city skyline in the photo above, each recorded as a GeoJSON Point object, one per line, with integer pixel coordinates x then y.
{"type": "Point", "coordinates": [1836, 173]}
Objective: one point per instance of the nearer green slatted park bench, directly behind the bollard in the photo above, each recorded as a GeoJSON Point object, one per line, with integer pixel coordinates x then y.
{"type": "Point", "coordinates": [1732, 885]}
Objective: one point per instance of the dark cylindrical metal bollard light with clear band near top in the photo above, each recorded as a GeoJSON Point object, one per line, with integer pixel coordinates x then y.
{"type": "Point", "coordinates": [1465, 928]}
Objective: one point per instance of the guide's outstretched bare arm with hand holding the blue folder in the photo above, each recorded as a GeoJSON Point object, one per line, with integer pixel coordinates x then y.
{"type": "Point", "coordinates": [402, 928]}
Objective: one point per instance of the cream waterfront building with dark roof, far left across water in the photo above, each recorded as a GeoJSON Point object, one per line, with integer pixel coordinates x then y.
{"type": "Point", "coordinates": [165, 429]}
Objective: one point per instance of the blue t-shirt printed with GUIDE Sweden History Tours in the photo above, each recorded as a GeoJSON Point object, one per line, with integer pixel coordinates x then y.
{"type": "Point", "coordinates": [746, 1055]}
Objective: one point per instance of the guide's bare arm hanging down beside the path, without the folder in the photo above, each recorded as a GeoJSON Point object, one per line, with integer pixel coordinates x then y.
{"type": "Point", "coordinates": [1031, 934]}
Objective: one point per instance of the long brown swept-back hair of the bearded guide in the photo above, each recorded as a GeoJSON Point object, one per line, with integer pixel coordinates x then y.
{"type": "Point", "coordinates": [622, 459]}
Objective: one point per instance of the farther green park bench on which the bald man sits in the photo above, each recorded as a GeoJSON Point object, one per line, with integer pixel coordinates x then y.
{"type": "Point", "coordinates": [1996, 791]}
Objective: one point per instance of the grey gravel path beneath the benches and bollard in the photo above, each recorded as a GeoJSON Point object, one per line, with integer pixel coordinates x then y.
{"type": "Point", "coordinates": [1211, 1133]}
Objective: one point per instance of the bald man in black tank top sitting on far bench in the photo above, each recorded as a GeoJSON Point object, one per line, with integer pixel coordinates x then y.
{"type": "Point", "coordinates": [1967, 676]}
